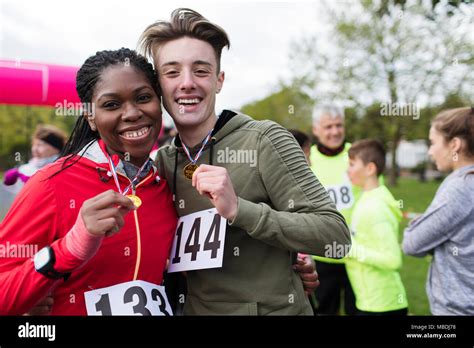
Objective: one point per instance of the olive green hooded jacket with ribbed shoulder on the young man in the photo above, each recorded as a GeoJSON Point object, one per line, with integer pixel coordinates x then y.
{"type": "Point", "coordinates": [282, 209]}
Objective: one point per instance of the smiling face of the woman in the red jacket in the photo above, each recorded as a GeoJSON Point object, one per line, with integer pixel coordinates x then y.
{"type": "Point", "coordinates": [127, 113]}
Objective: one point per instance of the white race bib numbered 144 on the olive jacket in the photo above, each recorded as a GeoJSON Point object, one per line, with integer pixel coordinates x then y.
{"type": "Point", "coordinates": [199, 242]}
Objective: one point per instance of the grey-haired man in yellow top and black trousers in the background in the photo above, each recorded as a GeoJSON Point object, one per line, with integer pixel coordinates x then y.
{"type": "Point", "coordinates": [329, 161]}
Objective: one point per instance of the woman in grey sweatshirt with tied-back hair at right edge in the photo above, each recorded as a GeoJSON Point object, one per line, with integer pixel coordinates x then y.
{"type": "Point", "coordinates": [446, 229]}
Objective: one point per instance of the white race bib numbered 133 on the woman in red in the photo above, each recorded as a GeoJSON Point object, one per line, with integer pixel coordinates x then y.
{"type": "Point", "coordinates": [132, 298]}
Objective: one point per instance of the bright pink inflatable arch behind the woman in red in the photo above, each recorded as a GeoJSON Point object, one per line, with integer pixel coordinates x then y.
{"type": "Point", "coordinates": [28, 83]}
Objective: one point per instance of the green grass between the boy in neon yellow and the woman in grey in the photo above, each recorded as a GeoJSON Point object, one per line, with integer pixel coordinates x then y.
{"type": "Point", "coordinates": [416, 197]}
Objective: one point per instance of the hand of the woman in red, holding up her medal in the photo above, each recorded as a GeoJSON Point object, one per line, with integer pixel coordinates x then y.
{"type": "Point", "coordinates": [103, 214]}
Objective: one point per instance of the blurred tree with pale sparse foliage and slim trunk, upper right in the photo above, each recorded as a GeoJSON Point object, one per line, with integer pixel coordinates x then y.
{"type": "Point", "coordinates": [391, 53]}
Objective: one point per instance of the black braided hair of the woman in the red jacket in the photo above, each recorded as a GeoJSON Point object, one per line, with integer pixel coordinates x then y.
{"type": "Point", "coordinates": [86, 80]}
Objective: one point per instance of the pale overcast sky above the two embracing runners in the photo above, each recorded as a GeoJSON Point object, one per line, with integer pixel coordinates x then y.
{"type": "Point", "coordinates": [67, 32]}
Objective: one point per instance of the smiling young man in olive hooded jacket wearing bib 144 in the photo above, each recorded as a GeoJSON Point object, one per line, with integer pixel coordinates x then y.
{"type": "Point", "coordinates": [234, 176]}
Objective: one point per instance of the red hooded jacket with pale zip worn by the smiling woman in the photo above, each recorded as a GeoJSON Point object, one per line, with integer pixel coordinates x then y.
{"type": "Point", "coordinates": [47, 208]}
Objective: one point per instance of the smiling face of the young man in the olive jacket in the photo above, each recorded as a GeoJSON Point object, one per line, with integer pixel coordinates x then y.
{"type": "Point", "coordinates": [189, 80]}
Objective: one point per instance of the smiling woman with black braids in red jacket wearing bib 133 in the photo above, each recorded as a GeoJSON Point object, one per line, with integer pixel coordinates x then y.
{"type": "Point", "coordinates": [99, 220]}
